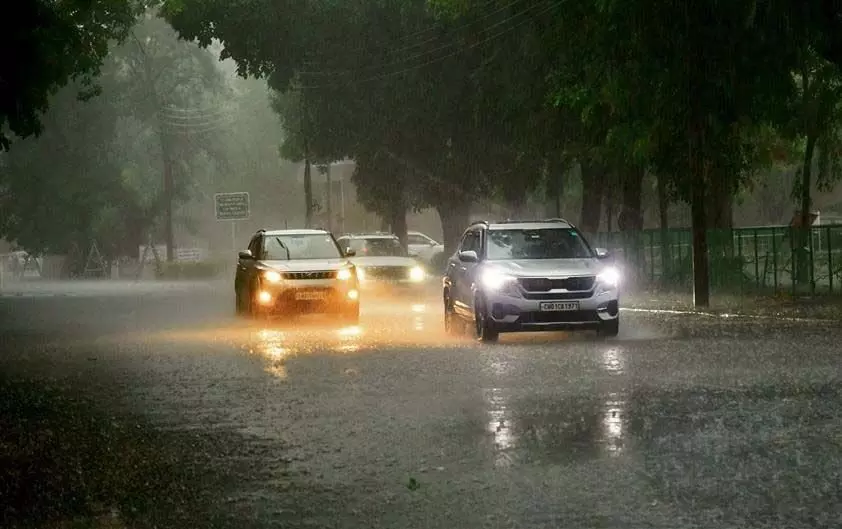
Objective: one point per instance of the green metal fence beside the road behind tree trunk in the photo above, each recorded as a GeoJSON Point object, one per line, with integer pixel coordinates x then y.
{"type": "Point", "coordinates": [770, 260]}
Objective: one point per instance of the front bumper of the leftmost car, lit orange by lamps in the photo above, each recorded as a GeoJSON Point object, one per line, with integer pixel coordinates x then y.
{"type": "Point", "coordinates": [308, 296]}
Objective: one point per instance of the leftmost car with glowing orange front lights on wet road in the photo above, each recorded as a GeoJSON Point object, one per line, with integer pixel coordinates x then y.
{"type": "Point", "coordinates": [296, 271]}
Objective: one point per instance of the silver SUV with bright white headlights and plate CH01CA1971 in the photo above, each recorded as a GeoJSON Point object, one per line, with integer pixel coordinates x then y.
{"type": "Point", "coordinates": [530, 276]}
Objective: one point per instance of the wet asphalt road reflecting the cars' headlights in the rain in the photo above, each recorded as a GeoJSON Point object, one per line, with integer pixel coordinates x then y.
{"type": "Point", "coordinates": [683, 421]}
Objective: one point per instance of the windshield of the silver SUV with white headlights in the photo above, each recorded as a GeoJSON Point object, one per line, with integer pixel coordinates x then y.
{"type": "Point", "coordinates": [548, 243]}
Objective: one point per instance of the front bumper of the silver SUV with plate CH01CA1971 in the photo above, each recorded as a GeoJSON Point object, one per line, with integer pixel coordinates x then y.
{"type": "Point", "coordinates": [513, 313]}
